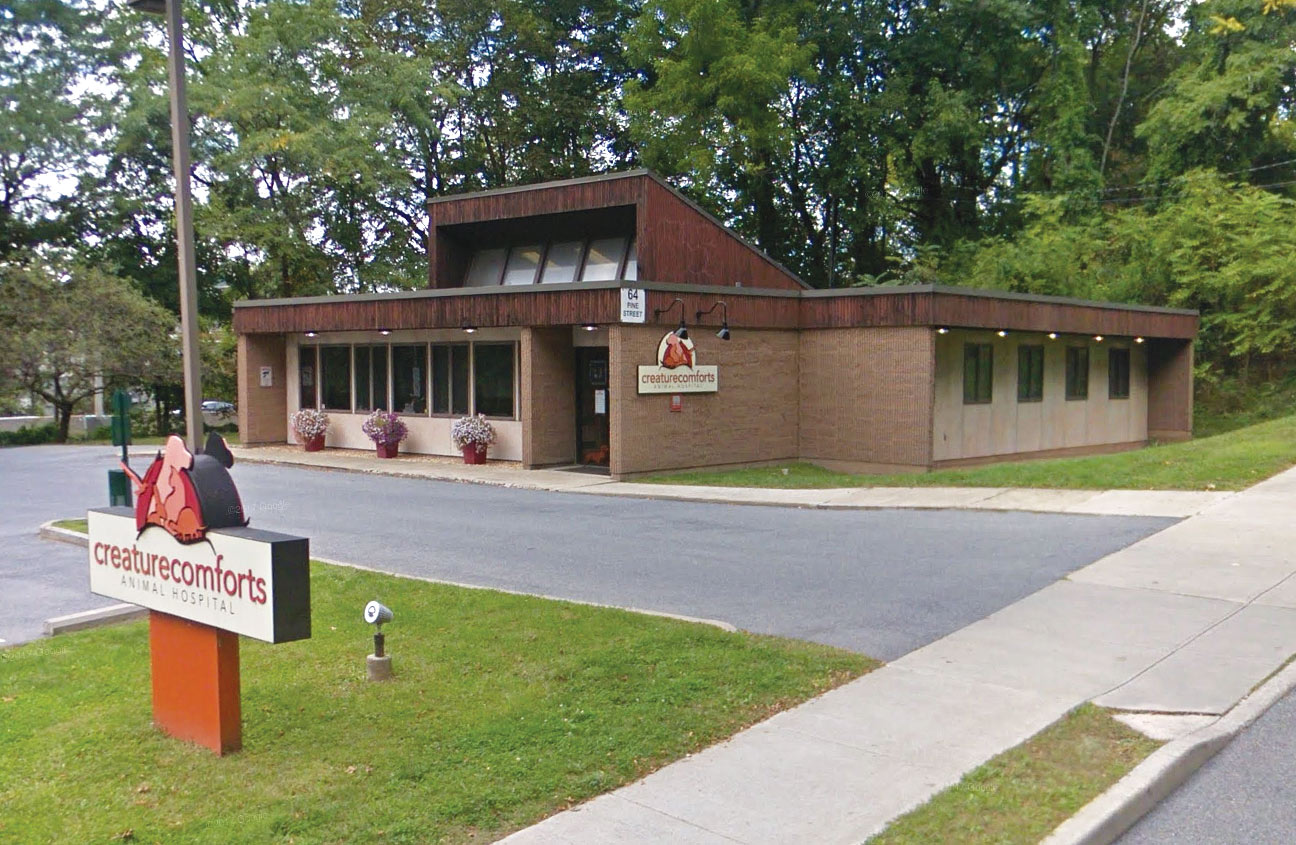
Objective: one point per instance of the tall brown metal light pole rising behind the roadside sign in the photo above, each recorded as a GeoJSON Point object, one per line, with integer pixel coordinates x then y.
{"type": "Point", "coordinates": [183, 216]}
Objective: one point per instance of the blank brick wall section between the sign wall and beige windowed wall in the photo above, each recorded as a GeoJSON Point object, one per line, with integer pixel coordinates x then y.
{"type": "Point", "coordinates": [866, 397]}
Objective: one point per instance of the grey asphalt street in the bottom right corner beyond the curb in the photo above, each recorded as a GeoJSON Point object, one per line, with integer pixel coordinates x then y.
{"type": "Point", "coordinates": [1242, 795]}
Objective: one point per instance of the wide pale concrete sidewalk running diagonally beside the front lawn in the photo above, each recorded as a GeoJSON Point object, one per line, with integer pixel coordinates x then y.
{"type": "Point", "coordinates": [1185, 621]}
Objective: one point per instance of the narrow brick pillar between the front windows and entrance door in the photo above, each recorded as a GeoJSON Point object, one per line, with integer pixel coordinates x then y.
{"type": "Point", "coordinates": [549, 397]}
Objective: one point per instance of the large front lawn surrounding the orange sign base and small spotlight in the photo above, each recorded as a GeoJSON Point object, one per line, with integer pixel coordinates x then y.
{"type": "Point", "coordinates": [503, 711]}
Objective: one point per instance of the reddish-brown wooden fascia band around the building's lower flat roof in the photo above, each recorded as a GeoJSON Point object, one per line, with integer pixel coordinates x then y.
{"type": "Point", "coordinates": [747, 309]}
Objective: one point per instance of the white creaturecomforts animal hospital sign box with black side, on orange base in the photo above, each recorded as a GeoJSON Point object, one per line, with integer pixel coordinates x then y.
{"type": "Point", "coordinates": [239, 580]}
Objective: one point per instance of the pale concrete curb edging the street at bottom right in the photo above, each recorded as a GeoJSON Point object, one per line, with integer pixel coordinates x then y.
{"type": "Point", "coordinates": [1109, 816]}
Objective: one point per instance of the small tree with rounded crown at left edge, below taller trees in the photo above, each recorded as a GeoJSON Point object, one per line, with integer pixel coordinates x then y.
{"type": "Point", "coordinates": [67, 332]}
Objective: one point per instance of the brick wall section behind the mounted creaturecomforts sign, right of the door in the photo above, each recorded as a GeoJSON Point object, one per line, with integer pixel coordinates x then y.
{"type": "Point", "coordinates": [754, 417]}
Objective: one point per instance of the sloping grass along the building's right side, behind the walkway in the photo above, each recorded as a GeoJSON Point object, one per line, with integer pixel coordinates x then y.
{"type": "Point", "coordinates": [1227, 462]}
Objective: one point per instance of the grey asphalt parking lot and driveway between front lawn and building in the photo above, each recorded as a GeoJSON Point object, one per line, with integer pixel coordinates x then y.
{"type": "Point", "coordinates": [881, 583]}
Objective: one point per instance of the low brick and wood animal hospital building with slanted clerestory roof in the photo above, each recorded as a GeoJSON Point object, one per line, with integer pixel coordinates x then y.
{"type": "Point", "coordinates": [611, 322]}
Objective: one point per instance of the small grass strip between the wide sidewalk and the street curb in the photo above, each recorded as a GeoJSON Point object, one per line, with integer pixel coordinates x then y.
{"type": "Point", "coordinates": [1026, 793]}
